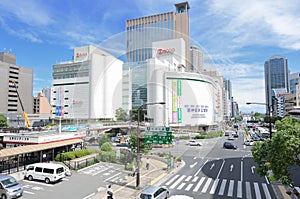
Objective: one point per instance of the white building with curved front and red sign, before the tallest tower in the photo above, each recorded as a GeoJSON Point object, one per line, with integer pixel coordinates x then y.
{"type": "Point", "coordinates": [190, 98]}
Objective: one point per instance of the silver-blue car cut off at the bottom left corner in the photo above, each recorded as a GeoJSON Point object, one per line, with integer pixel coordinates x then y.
{"type": "Point", "coordinates": [9, 187]}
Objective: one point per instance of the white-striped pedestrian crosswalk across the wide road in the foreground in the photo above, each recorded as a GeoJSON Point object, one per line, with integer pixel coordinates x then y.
{"type": "Point", "coordinates": [222, 187]}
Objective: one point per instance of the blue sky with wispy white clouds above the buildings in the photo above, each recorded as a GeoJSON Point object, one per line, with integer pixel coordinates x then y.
{"type": "Point", "coordinates": [238, 36]}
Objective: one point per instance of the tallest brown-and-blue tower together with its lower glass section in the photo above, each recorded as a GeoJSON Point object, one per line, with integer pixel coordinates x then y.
{"type": "Point", "coordinates": [141, 32]}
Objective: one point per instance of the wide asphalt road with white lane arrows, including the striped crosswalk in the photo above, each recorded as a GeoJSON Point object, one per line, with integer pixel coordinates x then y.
{"type": "Point", "coordinates": [213, 172]}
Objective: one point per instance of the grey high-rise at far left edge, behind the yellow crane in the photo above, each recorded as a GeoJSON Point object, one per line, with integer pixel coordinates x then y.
{"type": "Point", "coordinates": [23, 77]}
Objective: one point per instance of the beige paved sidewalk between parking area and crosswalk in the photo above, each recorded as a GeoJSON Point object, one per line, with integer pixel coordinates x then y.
{"type": "Point", "coordinates": [126, 188]}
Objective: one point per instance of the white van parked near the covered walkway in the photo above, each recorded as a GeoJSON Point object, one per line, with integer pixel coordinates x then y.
{"type": "Point", "coordinates": [47, 172]}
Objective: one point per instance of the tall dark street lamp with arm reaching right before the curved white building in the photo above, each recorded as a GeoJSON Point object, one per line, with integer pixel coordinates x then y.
{"type": "Point", "coordinates": [138, 158]}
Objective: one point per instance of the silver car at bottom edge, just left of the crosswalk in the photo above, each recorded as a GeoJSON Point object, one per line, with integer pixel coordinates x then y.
{"type": "Point", "coordinates": [155, 192]}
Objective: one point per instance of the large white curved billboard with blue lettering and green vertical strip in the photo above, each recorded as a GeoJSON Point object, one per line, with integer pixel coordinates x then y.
{"type": "Point", "coordinates": [192, 101]}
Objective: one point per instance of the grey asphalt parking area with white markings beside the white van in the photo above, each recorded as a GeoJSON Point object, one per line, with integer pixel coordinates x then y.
{"type": "Point", "coordinates": [80, 185]}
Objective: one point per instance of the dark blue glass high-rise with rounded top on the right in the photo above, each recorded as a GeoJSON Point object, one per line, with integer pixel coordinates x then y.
{"type": "Point", "coordinates": [276, 77]}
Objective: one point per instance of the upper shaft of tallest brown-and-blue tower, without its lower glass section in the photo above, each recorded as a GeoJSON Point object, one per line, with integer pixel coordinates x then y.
{"type": "Point", "coordinates": [141, 32]}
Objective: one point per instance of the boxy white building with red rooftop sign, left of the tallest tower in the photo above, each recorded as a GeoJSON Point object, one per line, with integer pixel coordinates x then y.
{"type": "Point", "coordinates": [89, 86]}
